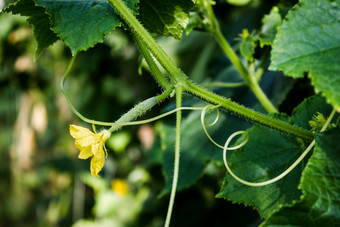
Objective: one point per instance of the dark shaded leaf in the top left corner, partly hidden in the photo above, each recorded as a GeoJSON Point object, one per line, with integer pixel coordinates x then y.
{"type": "Point", "coordinates": [38, 19]}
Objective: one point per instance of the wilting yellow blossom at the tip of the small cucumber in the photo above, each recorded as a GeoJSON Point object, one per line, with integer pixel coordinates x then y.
{"type": "Point", "coordinates": [90, 144]}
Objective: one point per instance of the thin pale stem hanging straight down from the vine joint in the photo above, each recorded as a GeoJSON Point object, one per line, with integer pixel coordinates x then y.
{"type": "Point", "coordinates": [179, 94]}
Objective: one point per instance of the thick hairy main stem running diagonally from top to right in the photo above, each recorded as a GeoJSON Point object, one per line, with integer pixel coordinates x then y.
{"type": "Point", "coordinates": [179, 78]}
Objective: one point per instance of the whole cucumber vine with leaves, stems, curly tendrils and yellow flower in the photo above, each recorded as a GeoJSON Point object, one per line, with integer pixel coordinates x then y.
{"type": "Point", "coordinates": [293, 132]}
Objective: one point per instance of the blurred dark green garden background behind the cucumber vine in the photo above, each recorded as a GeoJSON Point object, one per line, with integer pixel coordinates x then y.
{"type": "Point", "coordinates": [43, 183]}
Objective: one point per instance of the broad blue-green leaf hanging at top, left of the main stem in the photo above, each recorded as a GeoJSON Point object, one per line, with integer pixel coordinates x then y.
{"type": "Point", "coordinates": [81, 24]}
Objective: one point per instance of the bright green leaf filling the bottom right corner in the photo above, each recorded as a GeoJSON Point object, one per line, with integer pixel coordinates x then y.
{"type": "Point", "coordinates": [321, 188]}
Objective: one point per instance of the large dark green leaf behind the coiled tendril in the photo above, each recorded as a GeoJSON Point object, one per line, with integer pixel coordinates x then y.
{"type": "Point", "coordinates": [267, 154]}
